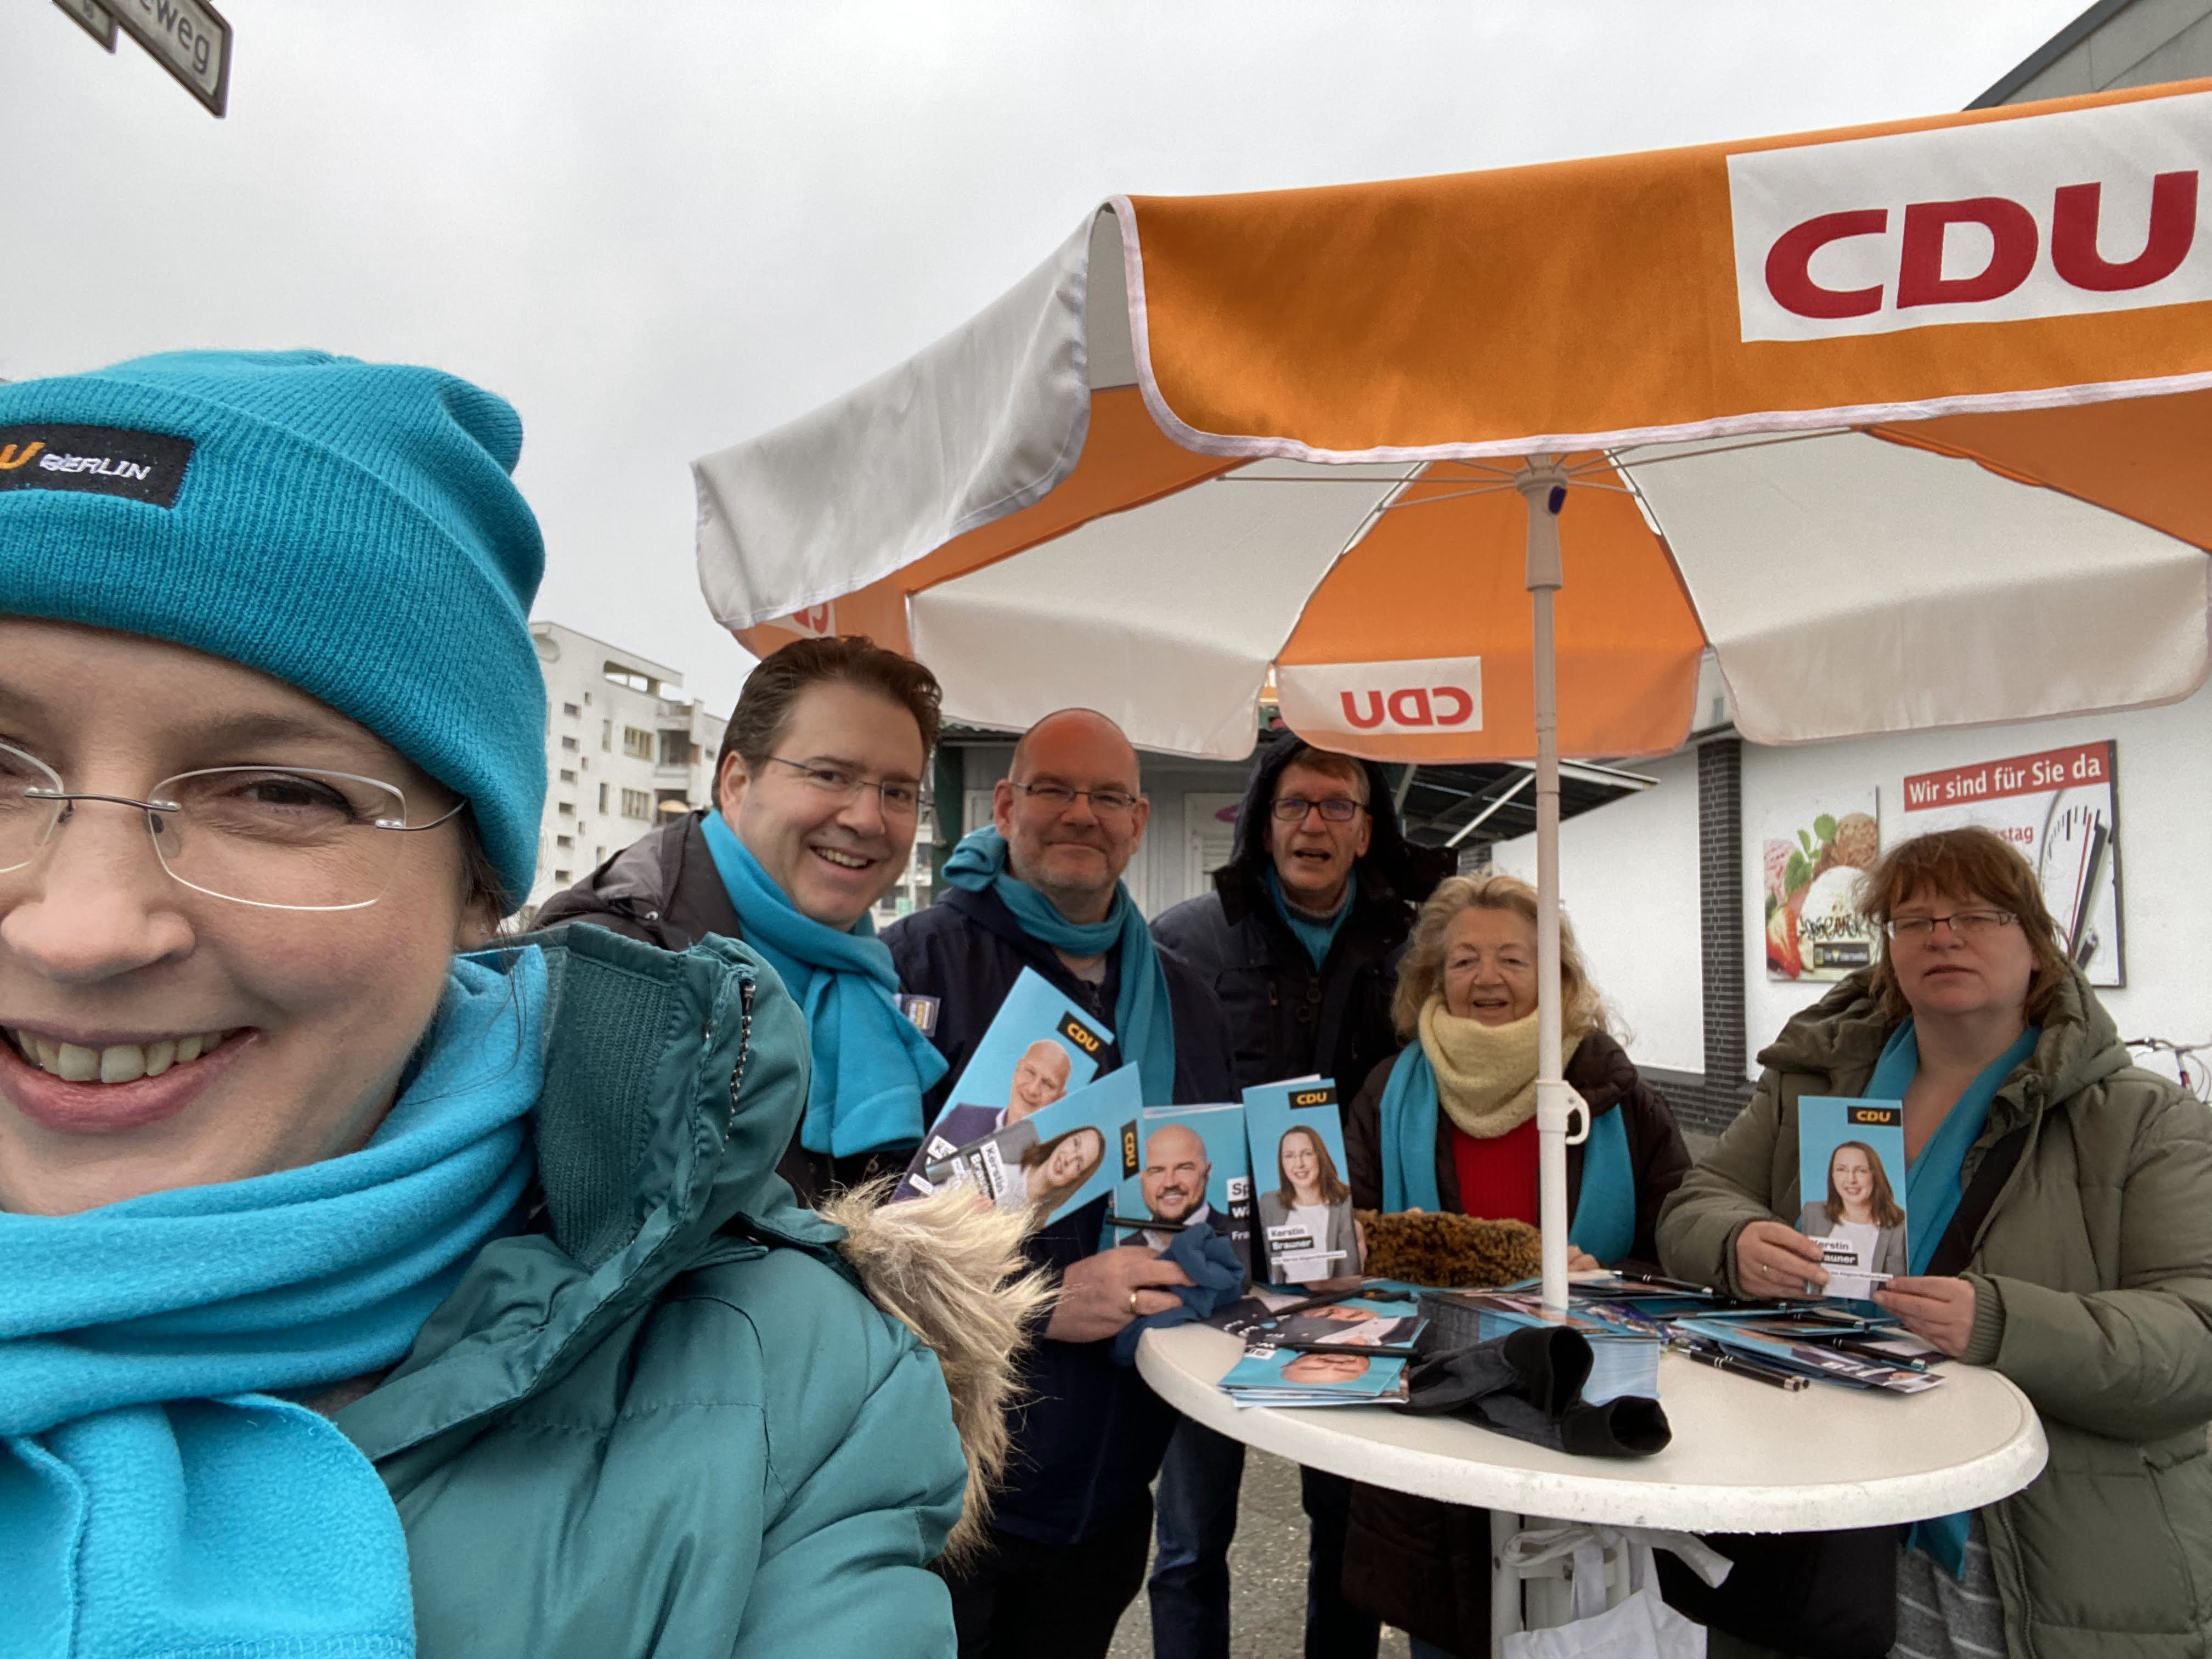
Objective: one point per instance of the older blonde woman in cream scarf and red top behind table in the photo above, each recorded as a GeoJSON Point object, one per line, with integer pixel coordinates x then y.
{"type": "Point", "coordinates": [1450, 1125]}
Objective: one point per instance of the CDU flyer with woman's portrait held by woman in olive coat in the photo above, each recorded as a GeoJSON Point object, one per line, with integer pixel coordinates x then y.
{"type": "Point", "coordinates": [1853, 1187]}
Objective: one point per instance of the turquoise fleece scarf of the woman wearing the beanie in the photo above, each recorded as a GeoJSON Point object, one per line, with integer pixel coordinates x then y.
{"type": "Point", "coordinates": [156, 1499]}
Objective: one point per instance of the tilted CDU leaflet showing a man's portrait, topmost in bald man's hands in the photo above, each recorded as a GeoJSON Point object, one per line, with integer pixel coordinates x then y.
{"type": "Point", "coordinates": [1039, 1047]}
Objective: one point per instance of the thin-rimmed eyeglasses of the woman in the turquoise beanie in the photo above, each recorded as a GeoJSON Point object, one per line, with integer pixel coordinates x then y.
{"type": "Point", "coordinates": [278, 837]}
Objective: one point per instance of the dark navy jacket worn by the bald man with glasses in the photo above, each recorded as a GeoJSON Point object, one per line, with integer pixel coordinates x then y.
{"type": "Point", "coordinates": [1092, 1437]}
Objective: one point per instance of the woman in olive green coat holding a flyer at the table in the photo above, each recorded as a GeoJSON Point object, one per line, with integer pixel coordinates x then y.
{"type": "Point", "coordinates": [2089, 1282]}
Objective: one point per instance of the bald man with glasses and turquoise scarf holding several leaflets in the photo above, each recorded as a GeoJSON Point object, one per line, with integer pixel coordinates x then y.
{"type": "Point", "coordinates": [1043, 890]}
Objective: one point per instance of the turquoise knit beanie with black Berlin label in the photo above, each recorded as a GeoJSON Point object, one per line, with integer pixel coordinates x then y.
{"type": "Point", "coordinates": [346, 528]}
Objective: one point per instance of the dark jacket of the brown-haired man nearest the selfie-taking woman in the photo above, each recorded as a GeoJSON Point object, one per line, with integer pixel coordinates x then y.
{"type": "Point", "coordinates": [665, 890]}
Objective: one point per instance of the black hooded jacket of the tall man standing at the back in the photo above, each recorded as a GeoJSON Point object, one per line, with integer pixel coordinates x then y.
{"type": "Point", "coordinates": [1288, 1016]}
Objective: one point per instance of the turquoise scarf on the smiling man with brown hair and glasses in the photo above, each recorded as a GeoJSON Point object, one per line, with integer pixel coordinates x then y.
{"type": "Point", "coordinates": [870, 1063]}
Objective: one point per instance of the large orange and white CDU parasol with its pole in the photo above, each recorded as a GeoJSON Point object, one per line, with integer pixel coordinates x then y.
{"type": "Point", "coordinates": [1910, 426]}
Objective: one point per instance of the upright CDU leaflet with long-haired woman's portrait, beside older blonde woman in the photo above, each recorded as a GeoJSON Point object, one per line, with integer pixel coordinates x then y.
{"type": "Point", "coordinates": [1304, 1211]}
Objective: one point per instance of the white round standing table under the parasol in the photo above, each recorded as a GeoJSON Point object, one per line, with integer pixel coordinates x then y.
{"type": "Point", "coordinates": [1746, 1457]}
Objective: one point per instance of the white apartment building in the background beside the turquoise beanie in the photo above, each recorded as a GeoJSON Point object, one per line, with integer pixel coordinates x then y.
{"type": "Point", "coordinates": [623, 749]}
